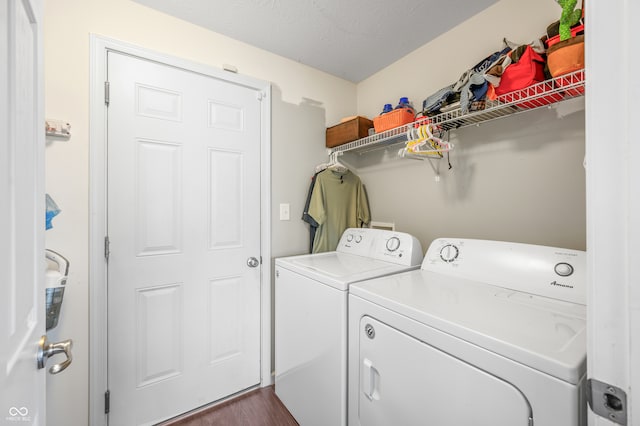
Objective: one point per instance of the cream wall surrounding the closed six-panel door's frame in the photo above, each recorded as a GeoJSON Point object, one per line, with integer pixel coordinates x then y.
{"type": "Point", "coordinates": [297, 137]}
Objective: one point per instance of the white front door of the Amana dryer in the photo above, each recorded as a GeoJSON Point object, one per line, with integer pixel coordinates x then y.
{"type": "Point", "coordinates": [404, 381]}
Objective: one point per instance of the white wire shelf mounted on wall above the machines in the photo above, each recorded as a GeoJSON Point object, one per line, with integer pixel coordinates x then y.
{"type": "Point", "coordinates": [546, 93]}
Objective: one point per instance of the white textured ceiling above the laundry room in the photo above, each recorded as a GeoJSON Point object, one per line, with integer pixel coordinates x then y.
{"type": "Point", "coordinates": [351, 39]}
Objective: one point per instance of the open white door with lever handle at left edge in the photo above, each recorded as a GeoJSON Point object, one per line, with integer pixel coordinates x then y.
{"type": "Point", "coordinates": [21, 213]}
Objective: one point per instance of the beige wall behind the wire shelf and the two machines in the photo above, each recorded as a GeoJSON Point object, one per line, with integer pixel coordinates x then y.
{"type": "Point", "coordinates": [519, 179]}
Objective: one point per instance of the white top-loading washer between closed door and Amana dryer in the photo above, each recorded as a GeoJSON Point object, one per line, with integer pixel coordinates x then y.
{"type": "Point", "coordinates": [311, 318]}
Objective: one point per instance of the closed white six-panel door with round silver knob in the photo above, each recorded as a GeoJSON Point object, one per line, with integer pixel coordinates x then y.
{"type": "Point", "coordinates": [184, 230]}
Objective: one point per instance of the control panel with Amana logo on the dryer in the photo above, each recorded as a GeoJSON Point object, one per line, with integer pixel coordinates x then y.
{"type": "Point", "coordinates": [539, 270]}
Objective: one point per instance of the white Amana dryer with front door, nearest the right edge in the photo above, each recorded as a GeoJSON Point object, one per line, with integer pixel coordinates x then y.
{"type": "Point", "coordinates": [485, 334]}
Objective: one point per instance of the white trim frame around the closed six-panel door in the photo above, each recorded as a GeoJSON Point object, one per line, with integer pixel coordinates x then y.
{"type": "Point", "coordinates": [100, 46]}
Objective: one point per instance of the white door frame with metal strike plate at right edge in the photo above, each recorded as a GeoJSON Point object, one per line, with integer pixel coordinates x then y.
{"type": "Point", "coordinates": [613, 227]}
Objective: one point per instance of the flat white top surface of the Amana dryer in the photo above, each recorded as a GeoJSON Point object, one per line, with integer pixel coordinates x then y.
{"type": "Point", "coordinates": [543, 333]}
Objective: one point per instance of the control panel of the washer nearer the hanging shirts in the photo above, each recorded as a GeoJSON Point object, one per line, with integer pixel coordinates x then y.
{"type": "Point", "coordinates": [390, 246]}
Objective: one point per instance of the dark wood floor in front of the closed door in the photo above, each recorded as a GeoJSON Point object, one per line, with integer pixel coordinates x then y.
{"type": "Point", "coordinates": [260, 407]}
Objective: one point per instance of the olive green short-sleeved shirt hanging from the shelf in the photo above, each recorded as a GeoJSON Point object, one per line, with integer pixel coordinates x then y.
{"type": "Point", "coordinates": [338, 202]}
